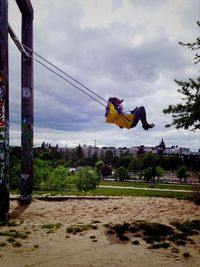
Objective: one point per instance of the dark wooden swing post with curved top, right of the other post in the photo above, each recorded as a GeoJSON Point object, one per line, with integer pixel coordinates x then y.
{"type": "Point", "coordinates": [27, 104]}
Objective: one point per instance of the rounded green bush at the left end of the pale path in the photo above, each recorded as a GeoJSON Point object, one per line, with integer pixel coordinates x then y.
{"type": "Point", "coordinates": [86, 179]}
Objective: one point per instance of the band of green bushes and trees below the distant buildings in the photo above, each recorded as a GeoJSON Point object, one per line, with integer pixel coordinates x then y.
{"type": "Point", "coordinates": [52, 172]}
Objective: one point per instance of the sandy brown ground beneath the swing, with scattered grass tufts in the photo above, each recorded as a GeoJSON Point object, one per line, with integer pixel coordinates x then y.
{"type": "Point", "coordinates": [46, 243]}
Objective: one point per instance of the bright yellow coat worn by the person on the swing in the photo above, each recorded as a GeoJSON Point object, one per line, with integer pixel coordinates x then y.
{"type": "Point", "coordinates": [121, 120]}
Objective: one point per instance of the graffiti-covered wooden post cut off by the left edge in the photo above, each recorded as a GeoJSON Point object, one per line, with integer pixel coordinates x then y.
{"type": "Point", "coordinates": [4, 112]}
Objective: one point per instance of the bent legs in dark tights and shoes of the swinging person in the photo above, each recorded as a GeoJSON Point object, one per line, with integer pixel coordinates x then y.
{"type": "Point", "coordinates": [140, 114]}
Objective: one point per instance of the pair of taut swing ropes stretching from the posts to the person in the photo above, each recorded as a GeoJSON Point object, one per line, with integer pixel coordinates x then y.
{"type": "Point", "coordinates": [22, 47]}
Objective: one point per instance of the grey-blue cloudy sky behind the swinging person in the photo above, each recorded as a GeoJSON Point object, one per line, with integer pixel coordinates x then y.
{"type": "Point", "coordinates": [123, 48]}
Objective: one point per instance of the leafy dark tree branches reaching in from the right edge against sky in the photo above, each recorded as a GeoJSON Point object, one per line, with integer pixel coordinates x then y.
{"type": "Point", "coordinates": [186, 115]}
